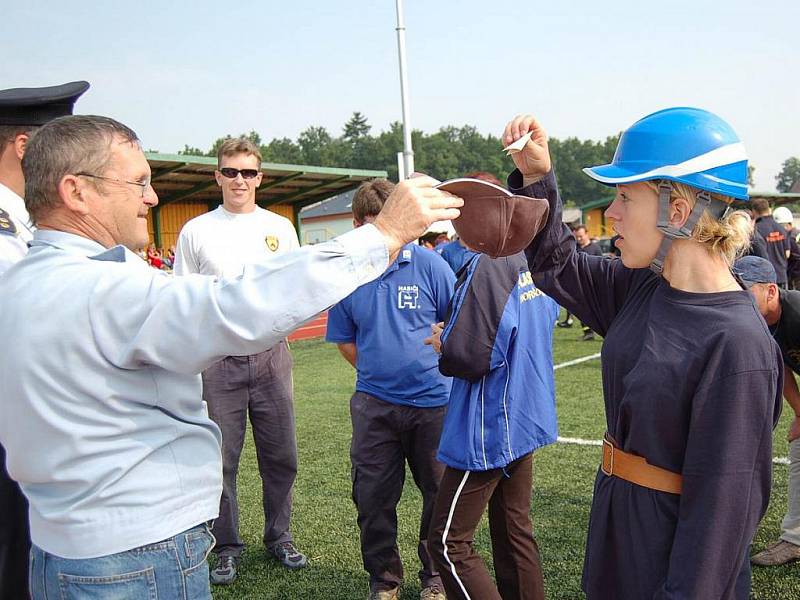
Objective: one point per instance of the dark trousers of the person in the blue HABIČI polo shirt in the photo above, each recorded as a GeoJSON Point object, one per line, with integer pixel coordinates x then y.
{"type": "Point", "coordinates": [385, 436]}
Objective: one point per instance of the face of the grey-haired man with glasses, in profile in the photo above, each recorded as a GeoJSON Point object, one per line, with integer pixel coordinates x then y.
{"type": "Point", "coordinates": [118, 208]}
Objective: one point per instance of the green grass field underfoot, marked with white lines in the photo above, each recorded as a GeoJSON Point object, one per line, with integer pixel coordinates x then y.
{"type": "Point", "coordinates": [324, 519]}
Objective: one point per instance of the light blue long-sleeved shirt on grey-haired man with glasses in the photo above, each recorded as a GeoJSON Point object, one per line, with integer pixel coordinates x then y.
{"type": "Point", "coordinates": [100, 394]}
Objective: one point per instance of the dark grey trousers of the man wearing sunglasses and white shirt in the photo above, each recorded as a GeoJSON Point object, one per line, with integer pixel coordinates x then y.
{"type": "Point", "coordinates": [259, 386]}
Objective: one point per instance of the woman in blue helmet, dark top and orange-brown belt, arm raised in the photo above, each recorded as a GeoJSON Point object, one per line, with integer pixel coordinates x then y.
{"type": "Point", "coordinates": [691, 375]}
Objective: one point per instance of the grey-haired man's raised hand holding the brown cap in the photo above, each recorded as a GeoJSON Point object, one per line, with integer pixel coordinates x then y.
{"type": "Point", "coordinates": [411, 208]}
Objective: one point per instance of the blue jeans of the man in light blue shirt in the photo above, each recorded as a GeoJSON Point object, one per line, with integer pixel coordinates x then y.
{"type": "Point", "coordinates": [174, 569]}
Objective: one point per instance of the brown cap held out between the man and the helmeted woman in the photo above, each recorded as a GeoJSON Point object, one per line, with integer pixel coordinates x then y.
{"type": "Point", "coordinates": [494, 221]}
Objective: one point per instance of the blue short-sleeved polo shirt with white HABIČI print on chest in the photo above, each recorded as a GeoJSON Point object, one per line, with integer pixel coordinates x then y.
{"type": "Point", "coordinates": [388, 319]}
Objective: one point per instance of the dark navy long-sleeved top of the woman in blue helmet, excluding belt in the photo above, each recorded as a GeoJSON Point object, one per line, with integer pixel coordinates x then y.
{"type": "Point", "coordinates": [692, 382]}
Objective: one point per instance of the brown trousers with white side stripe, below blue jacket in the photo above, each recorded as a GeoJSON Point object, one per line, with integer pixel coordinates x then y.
{"type": "Point", "coordinates": [463, 496]}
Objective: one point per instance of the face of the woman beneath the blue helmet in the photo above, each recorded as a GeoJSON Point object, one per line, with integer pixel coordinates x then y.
{"type": "Point", "coordinates": [635, 214]}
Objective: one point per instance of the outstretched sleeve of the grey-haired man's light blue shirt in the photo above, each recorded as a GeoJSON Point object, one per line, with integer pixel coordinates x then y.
{"type": "Point", "coordinates": [185, 324]}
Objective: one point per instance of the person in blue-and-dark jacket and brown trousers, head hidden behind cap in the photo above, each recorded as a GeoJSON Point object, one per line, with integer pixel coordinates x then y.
{"type": "Point", "coordinates": [497, 346]}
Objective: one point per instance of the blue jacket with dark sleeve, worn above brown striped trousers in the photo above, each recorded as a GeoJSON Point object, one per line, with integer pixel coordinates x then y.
{"type": "Point", "coordinates": [497, 346]}
